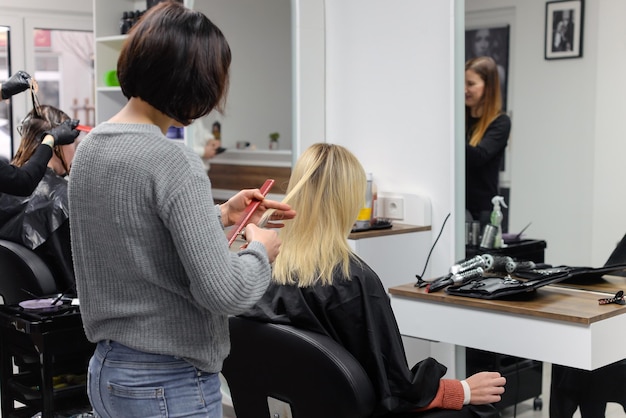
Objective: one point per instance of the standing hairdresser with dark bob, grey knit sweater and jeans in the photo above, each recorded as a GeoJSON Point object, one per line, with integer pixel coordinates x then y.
{"type": "Point", "coordinates": [155, 277]}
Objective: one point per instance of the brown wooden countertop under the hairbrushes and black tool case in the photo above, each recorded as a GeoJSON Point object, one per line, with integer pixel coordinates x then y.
{"type": "Point", "coordinates": [561, 303]}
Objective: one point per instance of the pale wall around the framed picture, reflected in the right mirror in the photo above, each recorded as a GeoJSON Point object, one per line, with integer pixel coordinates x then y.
{"type": "Point", "coordinates": [566, 132]}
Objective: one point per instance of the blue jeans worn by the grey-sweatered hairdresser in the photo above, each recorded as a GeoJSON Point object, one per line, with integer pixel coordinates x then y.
{"type": "Point", "coordinates": [123, 382]}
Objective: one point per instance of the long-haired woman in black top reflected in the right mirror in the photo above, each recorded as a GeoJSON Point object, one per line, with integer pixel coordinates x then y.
{"type": "Point", "coordinates": [487, 130]}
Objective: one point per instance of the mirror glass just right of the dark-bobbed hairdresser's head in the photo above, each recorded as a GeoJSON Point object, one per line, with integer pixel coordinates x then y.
{"type": "Point", "coordinates": [260, 95]}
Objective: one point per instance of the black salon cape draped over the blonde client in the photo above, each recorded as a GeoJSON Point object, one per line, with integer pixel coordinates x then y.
{"type": "Point", "coordinates": [357, 314]}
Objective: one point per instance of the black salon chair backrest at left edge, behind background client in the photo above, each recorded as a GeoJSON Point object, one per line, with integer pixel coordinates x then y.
{"type": "Point", "coordinates": [23, 275]}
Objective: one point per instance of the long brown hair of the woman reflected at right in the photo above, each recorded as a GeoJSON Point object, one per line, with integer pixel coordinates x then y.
{"type": "Point", "coordinates": [491, 102]}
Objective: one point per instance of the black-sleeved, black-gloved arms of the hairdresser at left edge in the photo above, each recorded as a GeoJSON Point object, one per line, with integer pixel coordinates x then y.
{"type": "Point", "coordinates": [22, 181]}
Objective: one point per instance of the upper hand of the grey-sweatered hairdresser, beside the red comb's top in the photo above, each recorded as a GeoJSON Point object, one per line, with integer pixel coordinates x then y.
{"type": "Point", "coordinates": [233, 209]}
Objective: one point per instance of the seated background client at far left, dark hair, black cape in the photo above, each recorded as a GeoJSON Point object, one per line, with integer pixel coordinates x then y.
{"type": "Point", "coordinates": [41, 221]}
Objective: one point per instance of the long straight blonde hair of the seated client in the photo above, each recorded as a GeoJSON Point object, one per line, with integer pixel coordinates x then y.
{"type": "Point", "coordinates": [327, 190]}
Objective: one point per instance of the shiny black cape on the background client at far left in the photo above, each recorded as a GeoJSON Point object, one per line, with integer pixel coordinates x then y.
{"type": "Point", "coordinates": [40, 222]}
